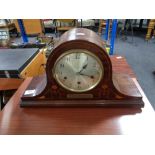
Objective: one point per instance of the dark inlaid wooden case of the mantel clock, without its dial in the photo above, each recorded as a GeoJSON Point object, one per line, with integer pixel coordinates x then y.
{"type": "Point", "coordinates": [112, 91]}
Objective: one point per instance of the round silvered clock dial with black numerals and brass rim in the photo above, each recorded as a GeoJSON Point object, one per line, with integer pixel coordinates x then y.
{"type": "Point", "coordinates": [78, 70]}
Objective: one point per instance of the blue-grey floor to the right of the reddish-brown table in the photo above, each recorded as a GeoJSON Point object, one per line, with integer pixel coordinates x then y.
{"type": "Point", "coordinates": [141, 56]}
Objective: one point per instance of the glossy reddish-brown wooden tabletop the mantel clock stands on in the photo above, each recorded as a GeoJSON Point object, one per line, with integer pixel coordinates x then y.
{"type": "Point", "coordinates": [130, 121]}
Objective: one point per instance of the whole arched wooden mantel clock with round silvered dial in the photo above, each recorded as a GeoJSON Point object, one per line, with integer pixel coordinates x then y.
{"type": "Point", "coordinates": [79, 73]}
